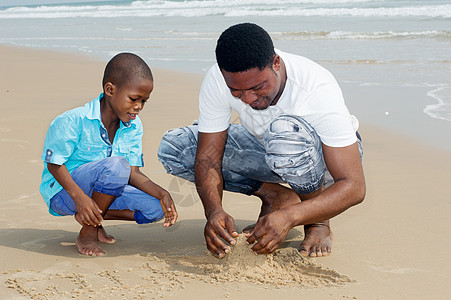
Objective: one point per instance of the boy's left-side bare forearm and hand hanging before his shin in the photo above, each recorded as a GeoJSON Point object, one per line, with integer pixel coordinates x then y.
{"type": "Point", "coordinates": [87, 209]}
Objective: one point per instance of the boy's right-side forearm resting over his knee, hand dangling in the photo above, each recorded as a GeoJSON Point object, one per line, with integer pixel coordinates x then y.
{"type": "Point", "coordinates": [142, 182]}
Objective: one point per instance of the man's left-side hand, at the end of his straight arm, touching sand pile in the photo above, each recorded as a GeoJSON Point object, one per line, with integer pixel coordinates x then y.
{"type": "Point", "coordinates": [220, 224]}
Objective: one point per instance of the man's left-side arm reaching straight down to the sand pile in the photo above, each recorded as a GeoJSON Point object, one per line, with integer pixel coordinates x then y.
{"type": "Point", "coordinates": [209, 184]}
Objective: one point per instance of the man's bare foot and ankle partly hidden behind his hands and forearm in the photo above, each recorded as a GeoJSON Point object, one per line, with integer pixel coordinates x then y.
{"type": "Point", "coordinates": [274, 197]}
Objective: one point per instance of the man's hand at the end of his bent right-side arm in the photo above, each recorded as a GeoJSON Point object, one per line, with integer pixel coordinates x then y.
{"type": "Point", "coordinates": [270, 231]}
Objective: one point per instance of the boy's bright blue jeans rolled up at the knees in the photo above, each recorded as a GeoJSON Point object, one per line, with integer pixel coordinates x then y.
{"type": "Point", "coordinates": [110, 176]}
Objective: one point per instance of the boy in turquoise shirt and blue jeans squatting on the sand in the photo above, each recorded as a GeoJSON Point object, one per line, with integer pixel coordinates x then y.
{"type": "Point", "coordinates": [92, 156]}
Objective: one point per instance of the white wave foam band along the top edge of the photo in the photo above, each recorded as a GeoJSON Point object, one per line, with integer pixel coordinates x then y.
{"type": "Point", "coordinates": [232, 8]}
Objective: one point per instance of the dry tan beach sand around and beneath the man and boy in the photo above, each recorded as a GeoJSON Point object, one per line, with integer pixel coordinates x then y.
{"type": "Point", "coordinates": [392, 246]}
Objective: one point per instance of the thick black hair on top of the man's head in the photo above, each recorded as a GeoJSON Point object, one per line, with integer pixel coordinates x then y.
{"type": "Point", "coordinates": [244, 46]}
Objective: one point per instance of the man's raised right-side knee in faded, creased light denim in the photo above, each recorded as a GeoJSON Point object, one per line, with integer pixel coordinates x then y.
{"type": "Point", "coordinates": [294, 152]}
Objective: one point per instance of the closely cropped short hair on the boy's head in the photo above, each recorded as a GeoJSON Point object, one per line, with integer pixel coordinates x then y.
{"type": "Point", "coordinates": [124, 68]}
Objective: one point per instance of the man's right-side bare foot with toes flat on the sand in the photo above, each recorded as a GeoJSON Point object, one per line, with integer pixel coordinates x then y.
{"type": "Point", "coordinates": [317, 241]}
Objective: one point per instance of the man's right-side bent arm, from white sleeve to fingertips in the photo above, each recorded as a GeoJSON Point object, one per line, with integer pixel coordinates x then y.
{"type": "Point", "coordinates": [345, 166]}
